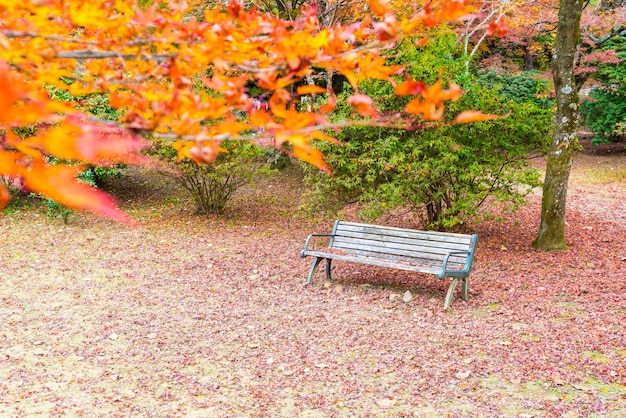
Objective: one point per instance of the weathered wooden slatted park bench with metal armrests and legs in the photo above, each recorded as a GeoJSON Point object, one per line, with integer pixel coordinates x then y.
{"type": "Point", "coordinates": [439, 253]}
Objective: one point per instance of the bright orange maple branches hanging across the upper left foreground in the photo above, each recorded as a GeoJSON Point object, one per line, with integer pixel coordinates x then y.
{"type": "Point", "coordinates": [180, 71]}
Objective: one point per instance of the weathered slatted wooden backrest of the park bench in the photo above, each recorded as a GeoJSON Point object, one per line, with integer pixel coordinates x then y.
{"type": "Point", "coordinates": [421, 247]}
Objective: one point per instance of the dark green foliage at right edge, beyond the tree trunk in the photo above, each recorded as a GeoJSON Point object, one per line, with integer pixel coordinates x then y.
{"type": "Point", "coordinates": [605, 112]}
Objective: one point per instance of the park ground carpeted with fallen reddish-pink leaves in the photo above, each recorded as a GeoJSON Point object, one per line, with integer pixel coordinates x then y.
{"type": "Point", "coordinates": [192, 316]}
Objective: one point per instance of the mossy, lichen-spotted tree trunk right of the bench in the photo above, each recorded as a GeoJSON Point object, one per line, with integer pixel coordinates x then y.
{"type": "Point", "coordinates": [552, 229]}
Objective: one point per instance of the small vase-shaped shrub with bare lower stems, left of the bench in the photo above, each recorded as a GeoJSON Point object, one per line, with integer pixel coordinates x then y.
{"type": "Point", "coordinates": [211, 186]}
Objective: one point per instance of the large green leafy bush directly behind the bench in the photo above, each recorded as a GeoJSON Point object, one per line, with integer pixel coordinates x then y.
{"type": "Point", "coordinates": [443, 174]}
